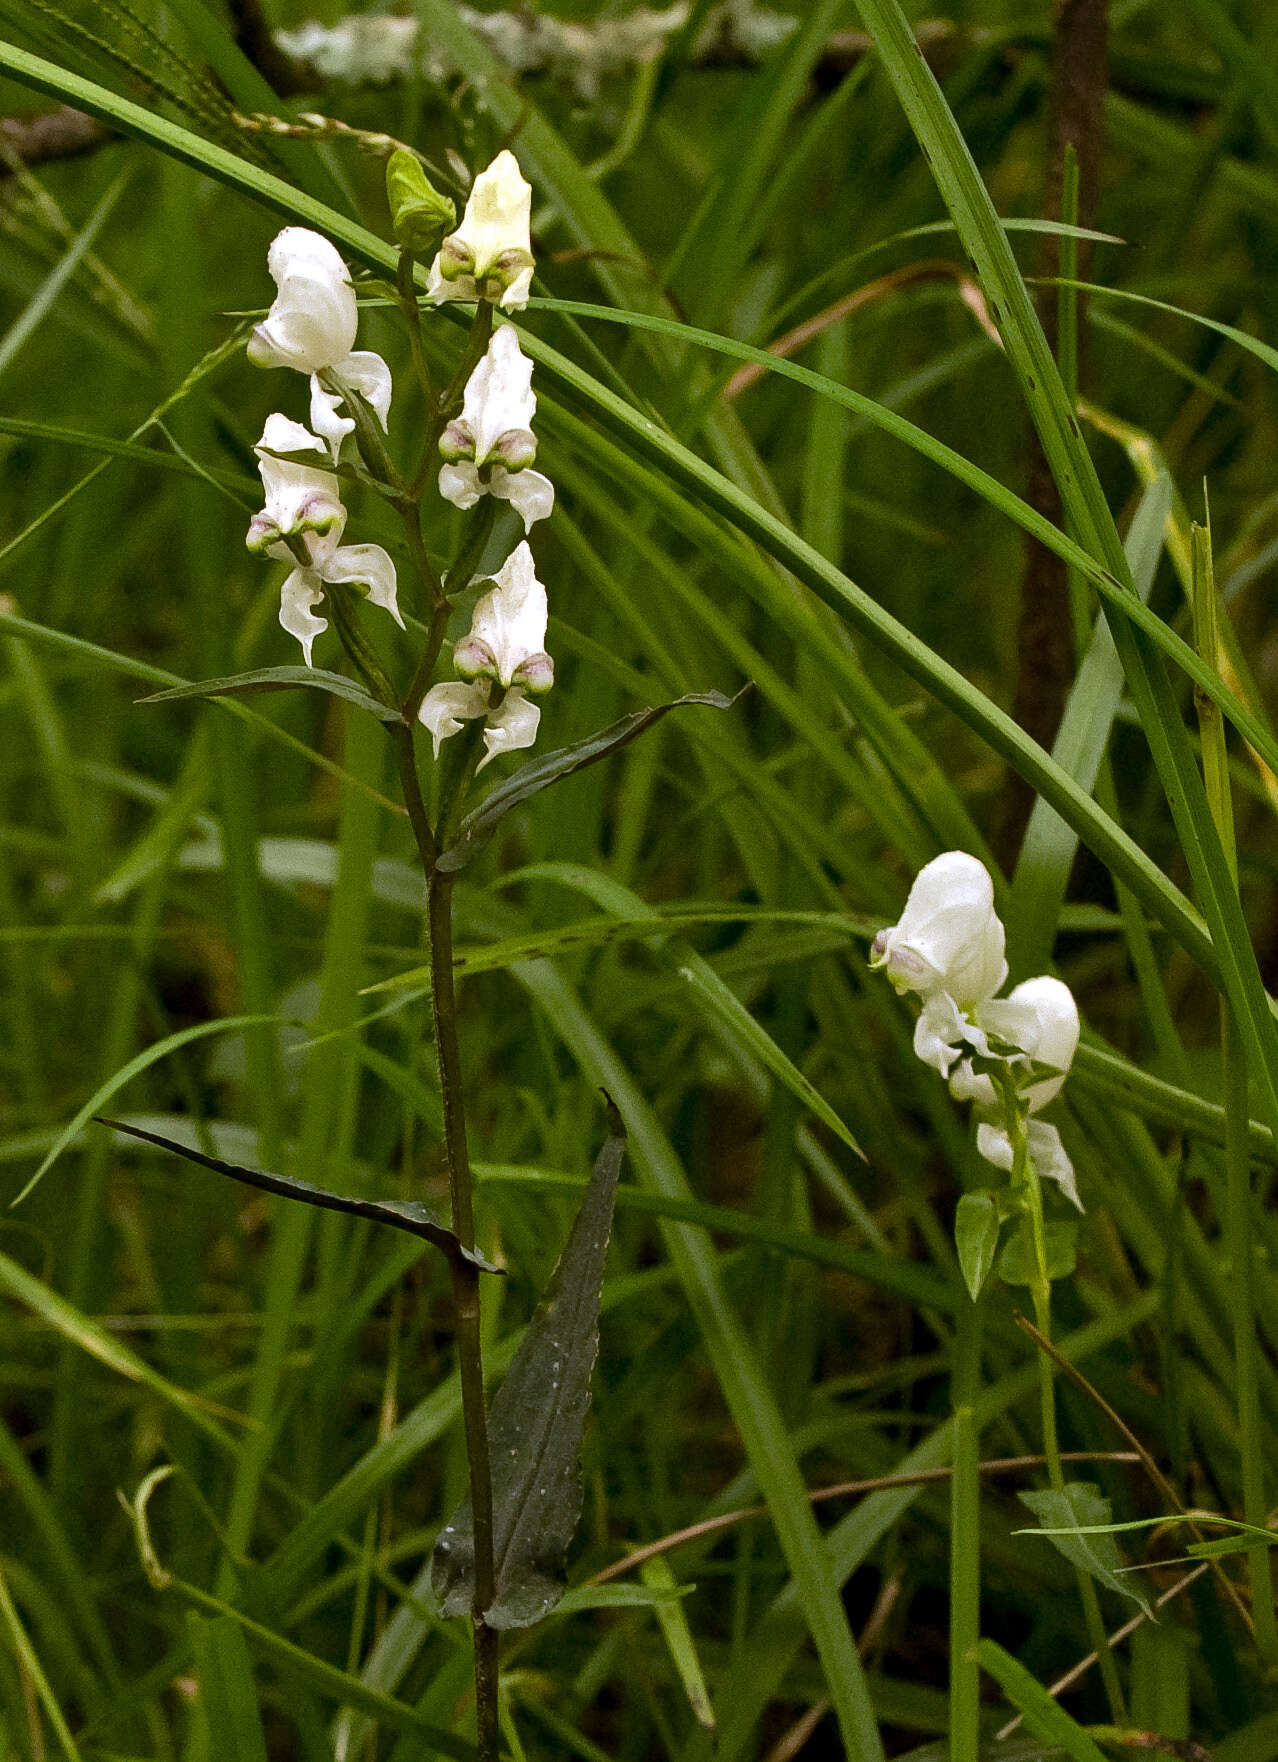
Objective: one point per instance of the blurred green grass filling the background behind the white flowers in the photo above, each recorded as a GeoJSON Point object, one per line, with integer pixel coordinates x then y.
{"type": "Point", "coordinates": [170, 866]}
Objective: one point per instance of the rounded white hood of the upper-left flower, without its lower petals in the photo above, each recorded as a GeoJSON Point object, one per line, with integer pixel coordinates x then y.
{"type": "Point", "coordinates": [313, 318]}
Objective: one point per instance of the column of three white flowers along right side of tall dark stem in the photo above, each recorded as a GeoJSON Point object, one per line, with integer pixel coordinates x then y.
{"type": "Point", "coordinates": [489, 450]}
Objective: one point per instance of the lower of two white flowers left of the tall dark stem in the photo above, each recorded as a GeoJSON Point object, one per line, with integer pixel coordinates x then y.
{"type": "Point", "coordinates": [302, 505]}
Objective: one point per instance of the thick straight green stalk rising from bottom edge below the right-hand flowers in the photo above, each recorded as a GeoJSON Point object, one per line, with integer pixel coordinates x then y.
{"type": "Point", "coordinates": [965, 1537]}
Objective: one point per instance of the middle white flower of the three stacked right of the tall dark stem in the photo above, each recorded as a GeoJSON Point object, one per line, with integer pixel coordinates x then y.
{"type": "Point", "coordinates": [491, 447]}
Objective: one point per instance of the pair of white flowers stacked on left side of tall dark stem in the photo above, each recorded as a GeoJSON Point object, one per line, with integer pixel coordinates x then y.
{"type": "Point", "coordinates": [311, 329]}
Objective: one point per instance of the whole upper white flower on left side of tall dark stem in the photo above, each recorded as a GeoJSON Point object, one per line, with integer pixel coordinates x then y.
{"type": "Point", "coordinates": [311, 329]}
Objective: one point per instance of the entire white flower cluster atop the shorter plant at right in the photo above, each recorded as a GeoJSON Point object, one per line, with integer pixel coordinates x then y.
{"type": "Point", "coordinates": [949, 951]}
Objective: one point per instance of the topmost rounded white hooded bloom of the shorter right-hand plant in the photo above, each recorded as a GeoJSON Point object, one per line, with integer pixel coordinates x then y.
{"type": "Point", "coordinates": [949, 937]}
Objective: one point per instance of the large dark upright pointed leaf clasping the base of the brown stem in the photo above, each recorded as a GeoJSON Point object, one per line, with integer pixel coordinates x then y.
{"type": "Point", "coordinates": [535, 1430]}
